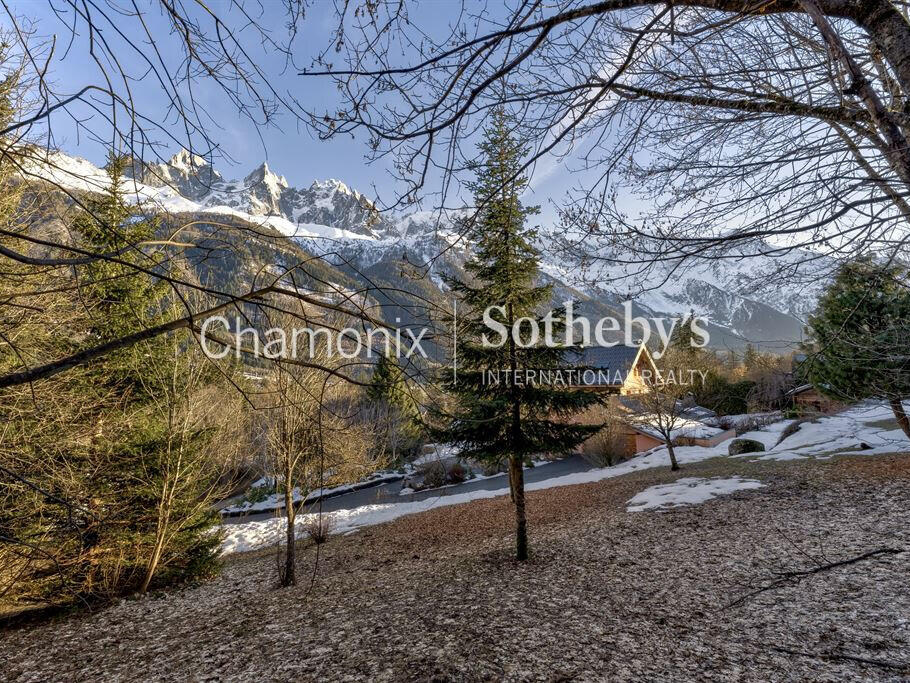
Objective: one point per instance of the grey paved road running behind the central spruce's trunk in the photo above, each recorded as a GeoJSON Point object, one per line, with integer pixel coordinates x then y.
{"type": "Point", "coordinates": [388, 493]}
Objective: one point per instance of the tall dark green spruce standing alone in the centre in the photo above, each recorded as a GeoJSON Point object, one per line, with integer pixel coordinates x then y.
{"type": "Point", "coordinates": [510, 420]}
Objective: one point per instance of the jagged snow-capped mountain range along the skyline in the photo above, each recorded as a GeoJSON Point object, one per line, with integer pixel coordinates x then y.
{"type": "Point", "coordinates": [750, 297]}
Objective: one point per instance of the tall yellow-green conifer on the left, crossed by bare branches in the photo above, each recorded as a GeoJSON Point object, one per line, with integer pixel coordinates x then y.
{"type": "Point", "coordinates": [140, 391]}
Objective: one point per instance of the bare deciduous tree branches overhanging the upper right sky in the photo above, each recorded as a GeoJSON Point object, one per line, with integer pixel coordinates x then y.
{"type": "Point", "coordinates": [744, 127]}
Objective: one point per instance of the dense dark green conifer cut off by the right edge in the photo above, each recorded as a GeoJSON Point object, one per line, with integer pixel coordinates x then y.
{"type": "Point", "coordinates": [859, 336]}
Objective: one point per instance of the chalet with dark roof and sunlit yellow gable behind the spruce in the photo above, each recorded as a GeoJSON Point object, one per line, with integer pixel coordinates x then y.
{"type": "Point", "coordinates": [614, 369]}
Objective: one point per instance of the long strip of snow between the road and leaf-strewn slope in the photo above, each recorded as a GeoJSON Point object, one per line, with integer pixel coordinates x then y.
{"type": "Point", "coordinates": [844, 433]}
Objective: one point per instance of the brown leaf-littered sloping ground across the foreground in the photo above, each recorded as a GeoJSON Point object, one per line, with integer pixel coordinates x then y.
{"type": "Point", "coordinates": [608, 595]}
